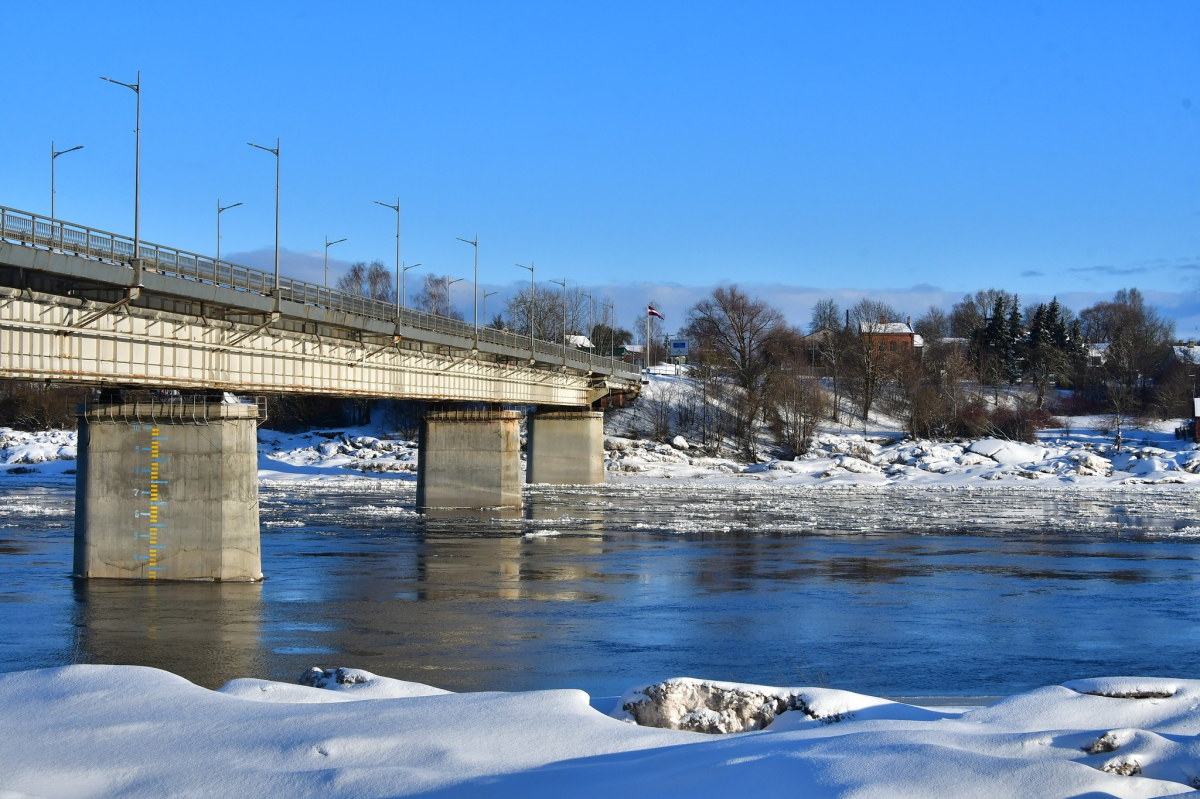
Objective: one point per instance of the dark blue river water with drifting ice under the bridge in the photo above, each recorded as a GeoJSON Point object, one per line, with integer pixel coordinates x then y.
{"type": "Point", "coordinates": [890, 592]}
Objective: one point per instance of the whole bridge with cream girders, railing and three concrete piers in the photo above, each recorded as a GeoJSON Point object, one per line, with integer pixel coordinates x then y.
{"type": "Point", "coordinates": [167, 486]}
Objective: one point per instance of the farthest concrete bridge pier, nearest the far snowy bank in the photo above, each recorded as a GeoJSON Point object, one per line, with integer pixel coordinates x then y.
{"type": "Point", "coordinates": [567, 448]}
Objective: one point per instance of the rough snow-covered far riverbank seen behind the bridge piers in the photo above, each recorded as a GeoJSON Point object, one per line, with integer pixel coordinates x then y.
{"type": "Point", "coordinates": [1079, 456]}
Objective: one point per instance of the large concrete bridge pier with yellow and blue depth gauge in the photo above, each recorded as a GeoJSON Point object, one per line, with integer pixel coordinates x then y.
{"type": "Point", "coordinates": [167, 491]}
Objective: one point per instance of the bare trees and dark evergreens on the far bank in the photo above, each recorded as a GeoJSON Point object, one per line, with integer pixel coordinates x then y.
{"type": "Point", "coordinates": [989, 367]}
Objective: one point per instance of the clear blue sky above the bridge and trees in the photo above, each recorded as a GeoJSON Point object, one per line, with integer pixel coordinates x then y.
{"type": "Point", "coordinates": [910, 152]}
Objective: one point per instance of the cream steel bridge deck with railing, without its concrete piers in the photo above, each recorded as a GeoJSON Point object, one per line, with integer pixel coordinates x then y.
{"type": "Point", "coordinates": [73, 310]}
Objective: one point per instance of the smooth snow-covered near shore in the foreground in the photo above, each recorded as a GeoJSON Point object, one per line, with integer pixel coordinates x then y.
{"type": "Point", "coordinates": [109, 731]}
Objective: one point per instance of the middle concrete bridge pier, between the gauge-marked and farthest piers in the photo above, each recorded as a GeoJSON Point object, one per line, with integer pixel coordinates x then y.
{"type": "Point", "coordinates": [470, 459]}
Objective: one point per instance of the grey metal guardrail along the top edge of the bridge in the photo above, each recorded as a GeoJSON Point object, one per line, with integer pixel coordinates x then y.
{"type": "Point", "coordinates": [38, 231]}
